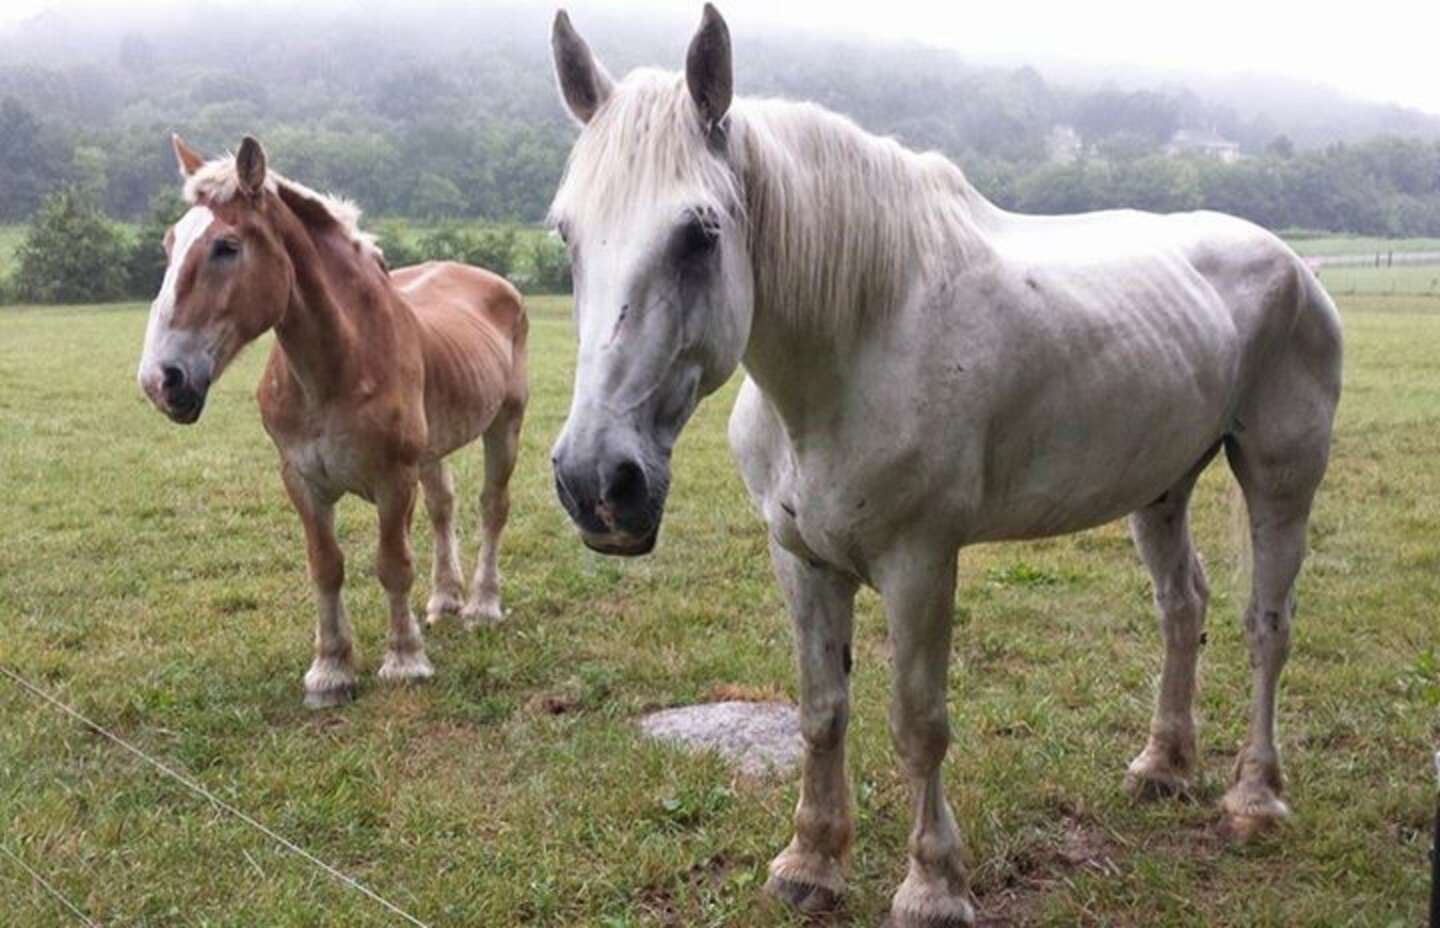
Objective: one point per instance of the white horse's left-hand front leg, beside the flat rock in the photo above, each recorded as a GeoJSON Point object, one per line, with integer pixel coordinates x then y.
{"type": "Point", "coordinates": [809, 873]}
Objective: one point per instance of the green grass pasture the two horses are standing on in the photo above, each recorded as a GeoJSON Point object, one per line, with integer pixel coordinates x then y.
{"type": "Point", "coordinates": [155, 579]}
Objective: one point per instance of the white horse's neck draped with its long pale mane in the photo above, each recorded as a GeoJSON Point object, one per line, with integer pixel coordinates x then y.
{"type": "Point", "coordinates": [837, 263]}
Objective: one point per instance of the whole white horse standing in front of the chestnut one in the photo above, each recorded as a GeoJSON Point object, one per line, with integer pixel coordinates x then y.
{"type": "Point", "coordinates": [927, 372]}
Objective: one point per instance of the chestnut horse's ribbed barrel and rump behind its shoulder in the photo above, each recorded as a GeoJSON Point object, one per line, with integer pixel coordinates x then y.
{"type": "Point", "coordinates": [473, 331]}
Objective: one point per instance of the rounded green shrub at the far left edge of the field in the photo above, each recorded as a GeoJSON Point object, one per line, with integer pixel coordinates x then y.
{"type": "Point", "coordinates": [71, 254]}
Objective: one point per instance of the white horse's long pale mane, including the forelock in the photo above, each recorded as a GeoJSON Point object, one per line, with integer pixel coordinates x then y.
{"type": "Point", "coordinates": [837, 220]}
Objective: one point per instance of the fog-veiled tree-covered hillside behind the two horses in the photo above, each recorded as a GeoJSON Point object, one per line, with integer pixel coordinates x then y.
{"type": "Point", "coordinates": [459, 122]}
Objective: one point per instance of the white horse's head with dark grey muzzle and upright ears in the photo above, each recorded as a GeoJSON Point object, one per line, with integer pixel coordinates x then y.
{"type": "Point", "coordinates": [654, 218]}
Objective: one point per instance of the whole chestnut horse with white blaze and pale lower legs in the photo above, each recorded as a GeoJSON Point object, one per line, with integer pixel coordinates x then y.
{"type": "Point", "coordinates": [375, 378]}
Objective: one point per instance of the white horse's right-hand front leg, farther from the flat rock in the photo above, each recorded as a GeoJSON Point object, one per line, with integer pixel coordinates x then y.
{"type": "Point", "coordinates": [919, 597]}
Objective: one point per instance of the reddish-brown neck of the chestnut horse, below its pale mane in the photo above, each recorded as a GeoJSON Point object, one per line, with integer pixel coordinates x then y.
{"type": "Point", "coordinates": [335, 311]}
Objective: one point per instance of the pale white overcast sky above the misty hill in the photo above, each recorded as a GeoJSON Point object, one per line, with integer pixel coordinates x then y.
{"type": "Point", "coordinates": [1377, 50]}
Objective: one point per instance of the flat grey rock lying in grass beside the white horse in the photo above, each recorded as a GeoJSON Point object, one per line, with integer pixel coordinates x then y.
{"type": "Point", "coordinates": [758, 739]}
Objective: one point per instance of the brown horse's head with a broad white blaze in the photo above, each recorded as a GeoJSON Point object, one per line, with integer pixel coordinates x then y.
{"type": "Point", "coordinates": [227, 282]}
